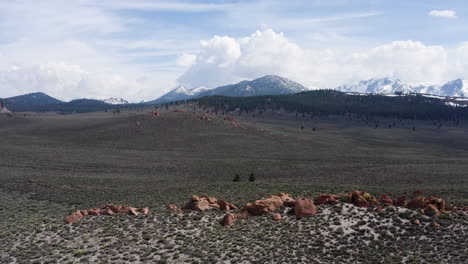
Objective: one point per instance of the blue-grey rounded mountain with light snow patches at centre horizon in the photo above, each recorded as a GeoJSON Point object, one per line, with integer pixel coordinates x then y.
{"type": "Point", "coordinates": [267, 85]}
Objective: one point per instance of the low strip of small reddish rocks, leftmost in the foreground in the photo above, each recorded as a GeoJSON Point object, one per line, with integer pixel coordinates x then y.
{"type": "Point", "coordinates": [108, 209]}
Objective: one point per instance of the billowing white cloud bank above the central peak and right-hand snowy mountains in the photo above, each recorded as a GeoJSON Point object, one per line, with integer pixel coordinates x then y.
{"type": "Point", "coordinates": [223, 60]}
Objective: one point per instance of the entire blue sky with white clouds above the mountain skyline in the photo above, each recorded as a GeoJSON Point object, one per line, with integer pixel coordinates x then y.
{"type": "Point", "coordinates": [140, 49]}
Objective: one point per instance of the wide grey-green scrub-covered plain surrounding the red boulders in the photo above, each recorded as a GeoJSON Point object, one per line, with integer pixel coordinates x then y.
{"type": "Point", "coordinates": [52, 165]}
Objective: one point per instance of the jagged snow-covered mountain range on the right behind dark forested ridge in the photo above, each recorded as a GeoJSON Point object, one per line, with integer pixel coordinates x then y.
{"type": "Point", "coordinates": [455, 88]}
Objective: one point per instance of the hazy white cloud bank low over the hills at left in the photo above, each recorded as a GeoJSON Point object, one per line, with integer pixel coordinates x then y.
{"type": "Point", "coordinates": [66, 82]}
